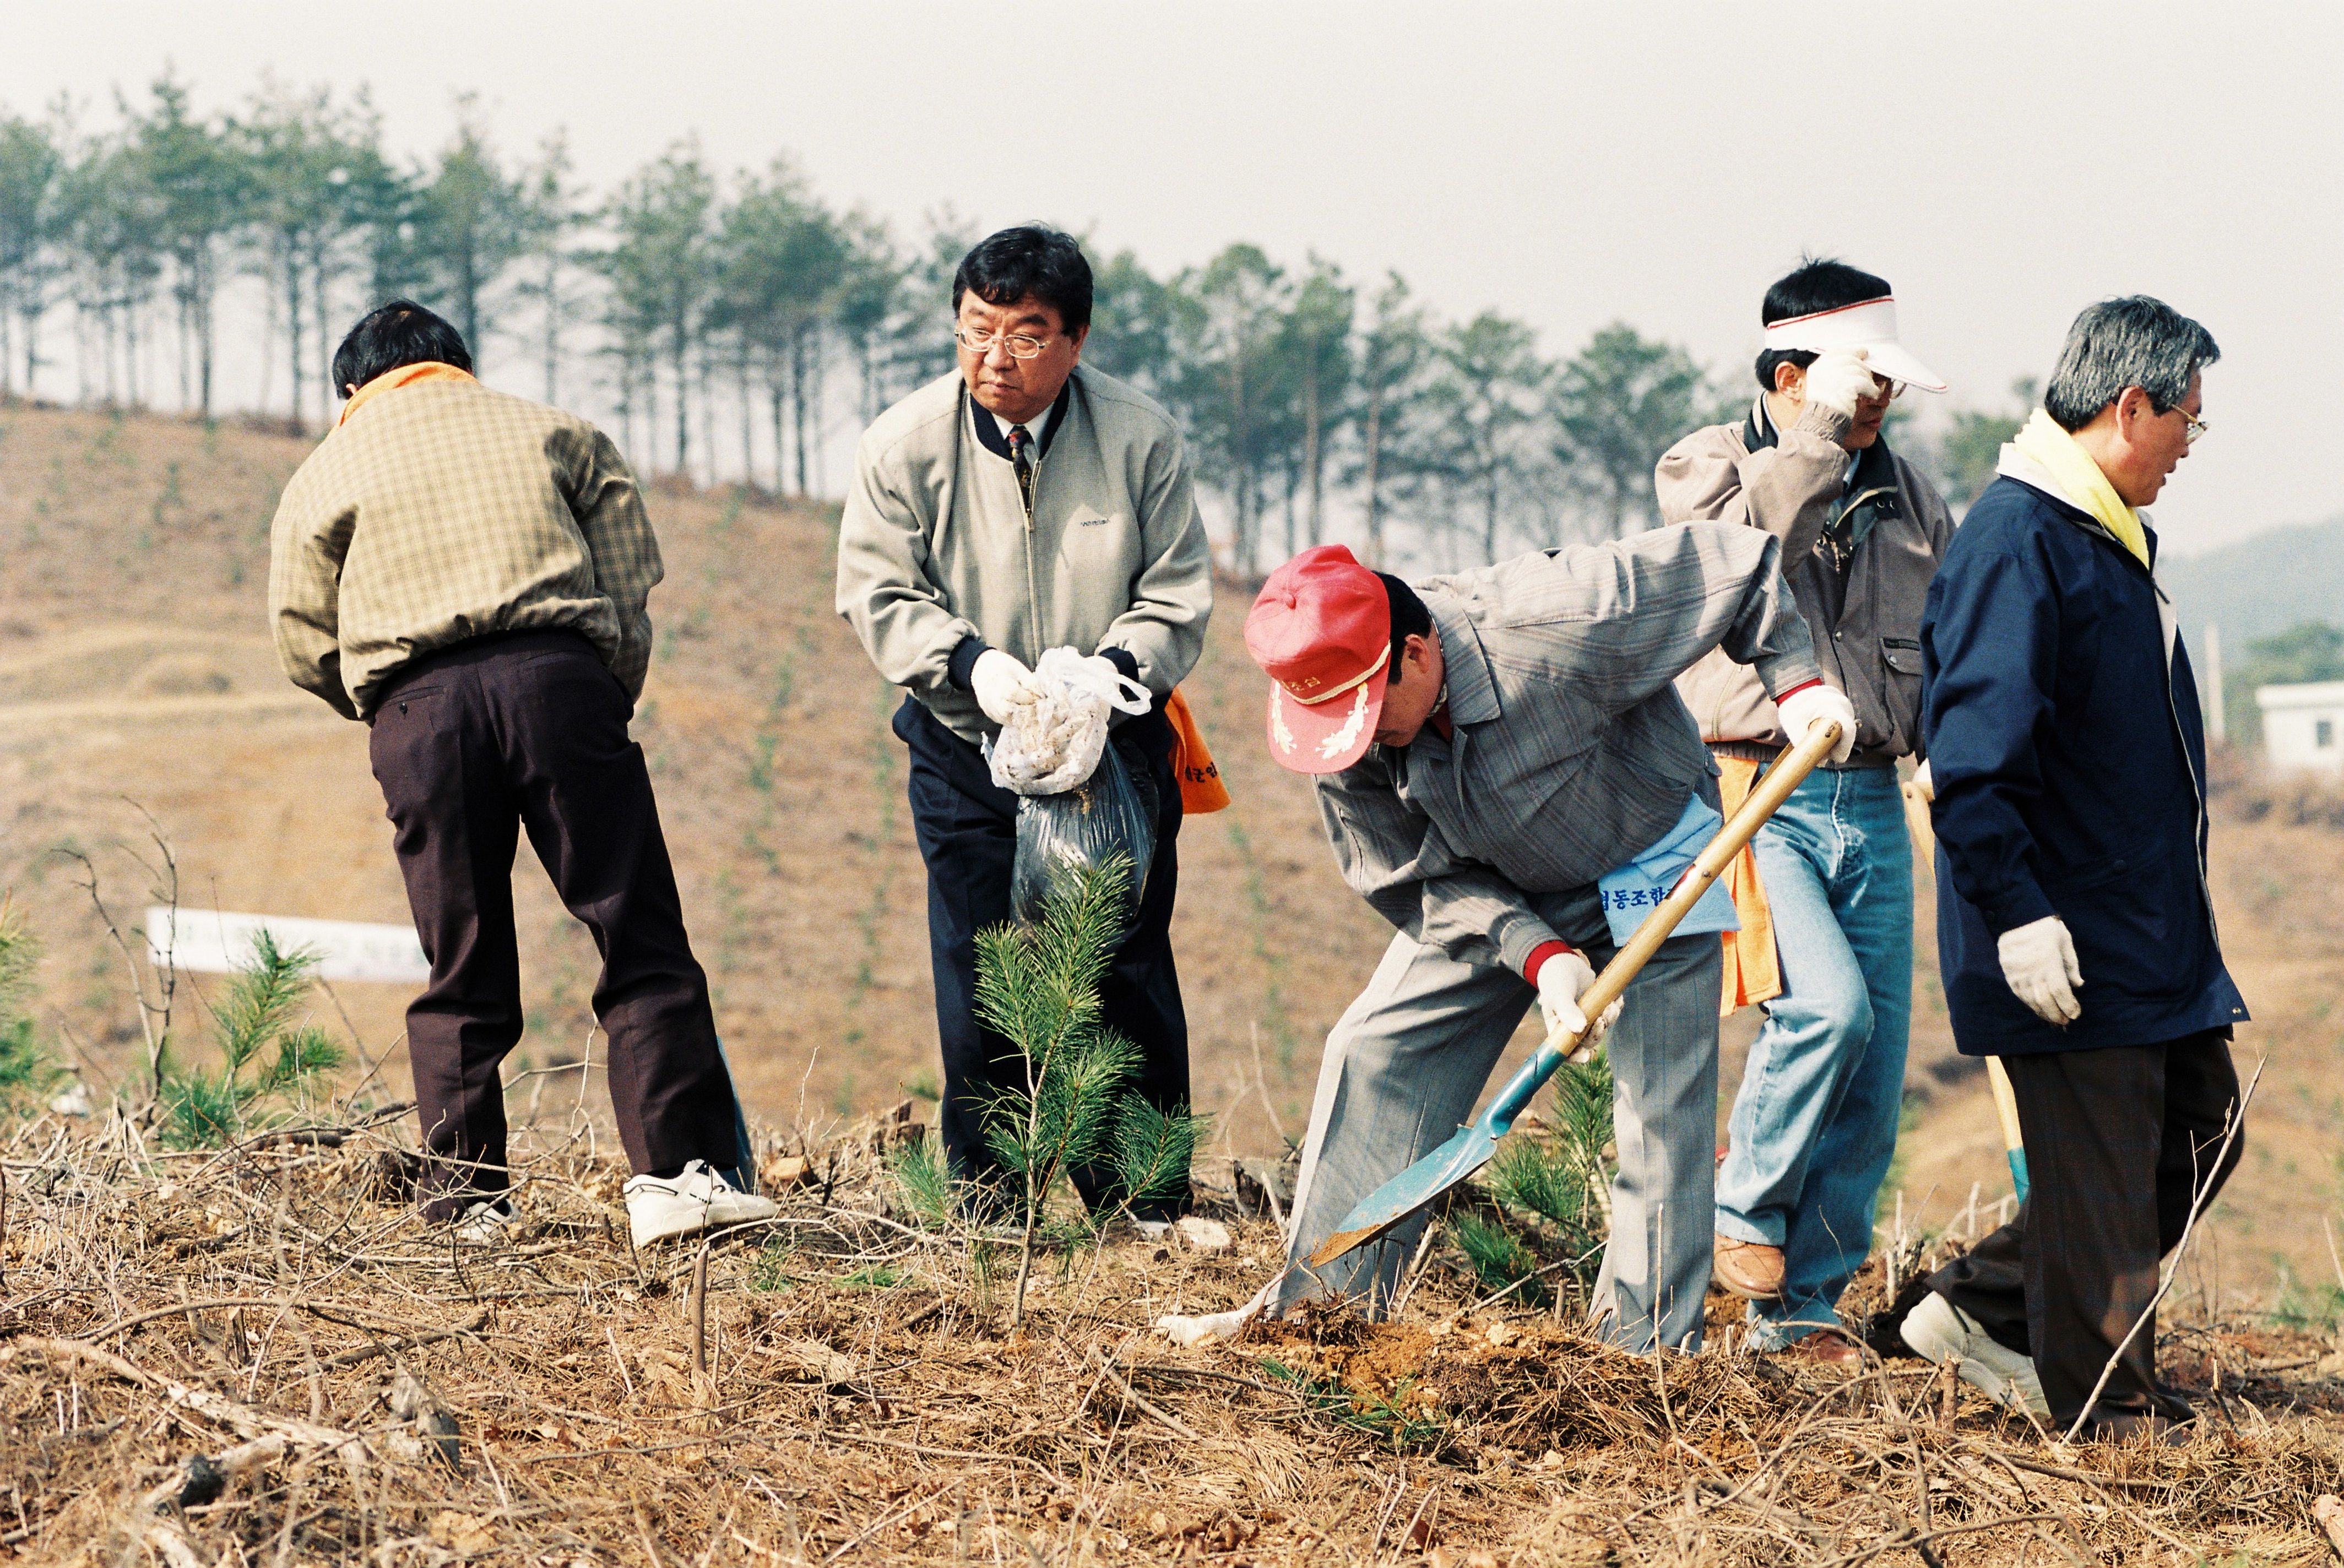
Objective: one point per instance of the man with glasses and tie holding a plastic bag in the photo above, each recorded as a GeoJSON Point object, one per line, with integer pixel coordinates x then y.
{"type": "Point", "coordinates": [1018, 505]}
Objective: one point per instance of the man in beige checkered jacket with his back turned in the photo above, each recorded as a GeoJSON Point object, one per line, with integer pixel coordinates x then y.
{"type": "Point", "coordinates": [468, 573]}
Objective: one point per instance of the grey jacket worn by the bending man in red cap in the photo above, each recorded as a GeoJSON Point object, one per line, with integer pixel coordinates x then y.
{"type": "Point", "coordinates": [1572, 751]}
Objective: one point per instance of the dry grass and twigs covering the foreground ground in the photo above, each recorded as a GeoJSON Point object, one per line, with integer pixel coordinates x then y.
{"type": "Point", "coordinates": [264, 1358]}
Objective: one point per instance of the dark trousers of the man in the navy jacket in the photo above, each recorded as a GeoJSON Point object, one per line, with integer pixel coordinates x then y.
{"type": "Point", "coordinates": [2118, 1147]}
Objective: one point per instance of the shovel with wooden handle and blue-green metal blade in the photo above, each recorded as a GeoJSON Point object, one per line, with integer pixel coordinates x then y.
{"type": "Point", "coordinates": [1473, 1147]}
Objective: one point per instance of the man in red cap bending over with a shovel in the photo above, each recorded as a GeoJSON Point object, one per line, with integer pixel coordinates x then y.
{"type": "Point", "coordinates": [1508, 777]}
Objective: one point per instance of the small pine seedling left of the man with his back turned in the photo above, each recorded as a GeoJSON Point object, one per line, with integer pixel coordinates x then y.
{"type": "Point", "coordinates": [264, 1051]}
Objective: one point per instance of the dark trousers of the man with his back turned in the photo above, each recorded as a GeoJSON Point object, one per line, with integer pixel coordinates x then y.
{"type": "Point", "coordinates": [472, 746]}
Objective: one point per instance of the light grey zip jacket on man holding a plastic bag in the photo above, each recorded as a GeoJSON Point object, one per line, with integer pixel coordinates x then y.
{"type": "Point", "coordinates": [936, 545]}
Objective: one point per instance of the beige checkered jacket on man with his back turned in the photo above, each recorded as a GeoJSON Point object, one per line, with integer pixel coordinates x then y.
{"type": "Point", "coordinates": [444, 512]}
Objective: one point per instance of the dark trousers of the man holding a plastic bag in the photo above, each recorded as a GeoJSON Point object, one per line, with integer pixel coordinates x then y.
{"type": "Point", "coordinates": [967, 833]}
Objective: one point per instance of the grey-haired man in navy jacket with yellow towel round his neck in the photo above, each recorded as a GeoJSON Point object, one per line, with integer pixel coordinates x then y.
{"type": "Point", "coordinates": [2076, 922]}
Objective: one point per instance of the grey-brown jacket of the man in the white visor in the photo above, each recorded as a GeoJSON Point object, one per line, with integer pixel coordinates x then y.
{"type": "Point", "coordinates": [1792, 486]}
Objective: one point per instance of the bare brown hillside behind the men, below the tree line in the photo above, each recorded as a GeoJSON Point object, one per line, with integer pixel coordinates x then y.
{"type": "Point", "coordinates": [137, 683]}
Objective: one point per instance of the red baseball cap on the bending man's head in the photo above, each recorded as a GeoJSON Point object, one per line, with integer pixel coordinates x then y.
{"type": "Point", "coordinates": [1323, 632]}
